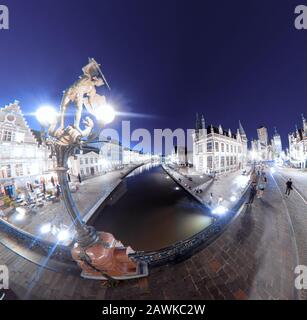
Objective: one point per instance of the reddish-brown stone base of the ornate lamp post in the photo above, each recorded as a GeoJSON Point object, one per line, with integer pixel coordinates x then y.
{"type": "Point", "coordinates": [108, 259]}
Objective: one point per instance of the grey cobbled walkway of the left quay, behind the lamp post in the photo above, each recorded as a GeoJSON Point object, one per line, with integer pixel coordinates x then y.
{"type": "Point", "coordinates": [94, 190]}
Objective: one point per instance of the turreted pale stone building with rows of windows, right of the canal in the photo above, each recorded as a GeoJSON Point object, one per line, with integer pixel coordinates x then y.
{"type": "Point", "coordinates": [218, 151]}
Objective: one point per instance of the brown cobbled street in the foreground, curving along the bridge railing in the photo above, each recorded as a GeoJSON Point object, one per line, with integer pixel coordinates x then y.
{"type": "Point", "coordinates": [253, 259]}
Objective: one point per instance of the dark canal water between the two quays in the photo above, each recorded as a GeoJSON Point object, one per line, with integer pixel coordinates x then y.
{"type": "Point", "coordinates": [148, 211]}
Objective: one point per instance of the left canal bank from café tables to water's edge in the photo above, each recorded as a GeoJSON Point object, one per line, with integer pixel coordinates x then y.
{"type": "Point", "coordinates": [90, 195]}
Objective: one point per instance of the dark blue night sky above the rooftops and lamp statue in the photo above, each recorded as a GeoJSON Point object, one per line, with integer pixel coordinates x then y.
{"type": "Point", "coordinates": [229, 60]}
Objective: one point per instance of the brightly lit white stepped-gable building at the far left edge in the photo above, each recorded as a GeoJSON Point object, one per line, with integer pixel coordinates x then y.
{"type": "Point", "coordinates": [22, 160]}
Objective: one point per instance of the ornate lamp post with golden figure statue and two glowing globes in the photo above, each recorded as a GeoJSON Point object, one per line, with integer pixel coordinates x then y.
{"type": "Point", "coordinates": [99, 254]}
